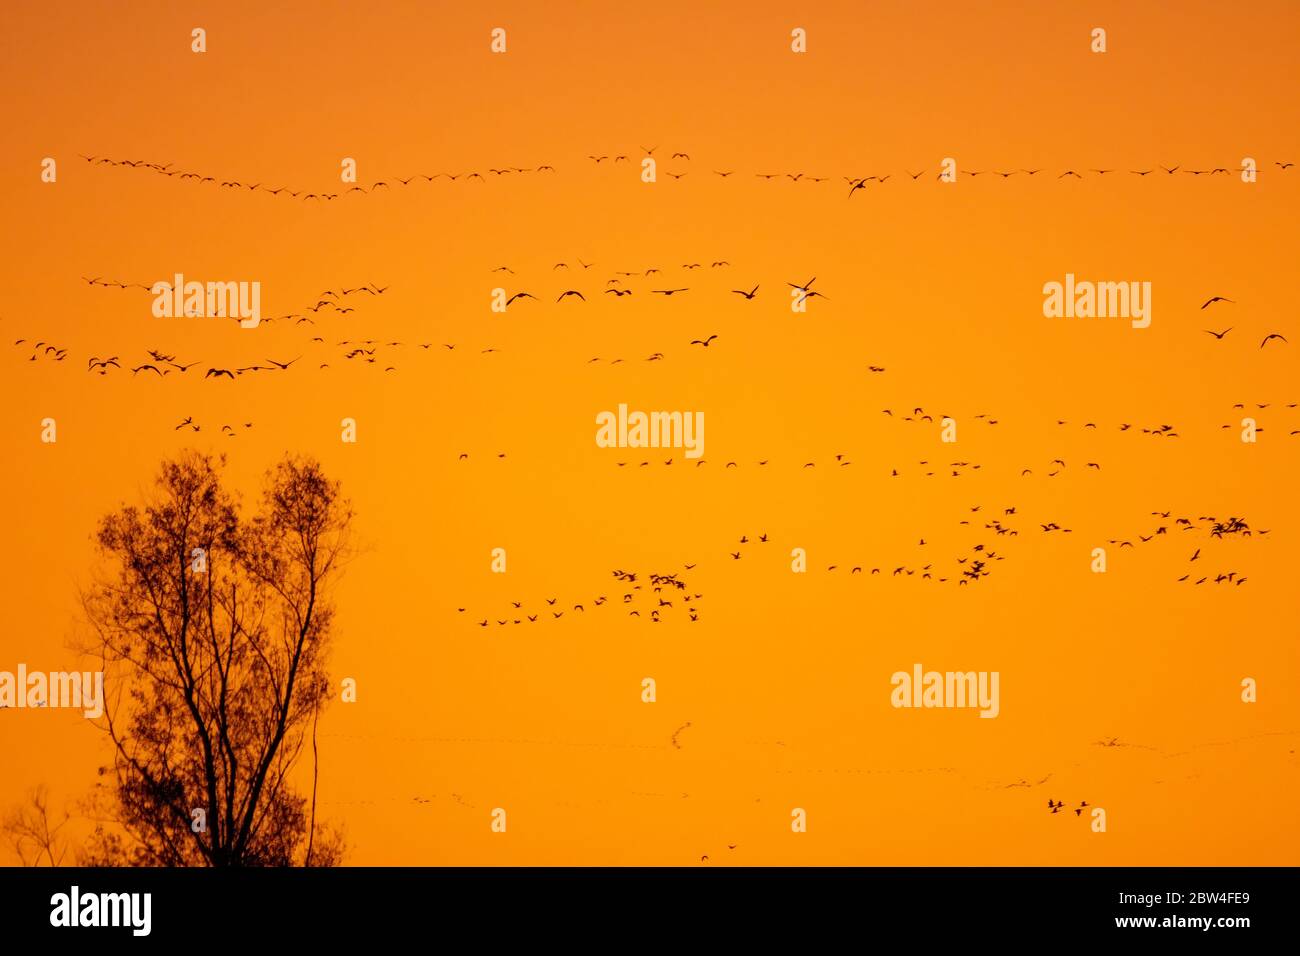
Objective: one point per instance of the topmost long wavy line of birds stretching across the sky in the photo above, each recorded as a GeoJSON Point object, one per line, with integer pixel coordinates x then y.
{"type": "Point", "coordinates": [497, 172]}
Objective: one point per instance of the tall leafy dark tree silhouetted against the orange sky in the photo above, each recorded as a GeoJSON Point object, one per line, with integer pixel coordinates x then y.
{"type": "Point", "coordinates": [214, 630]}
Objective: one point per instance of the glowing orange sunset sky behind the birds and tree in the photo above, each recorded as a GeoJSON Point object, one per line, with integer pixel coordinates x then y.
{"type": "Point", "coordinates": [786, 678]}
